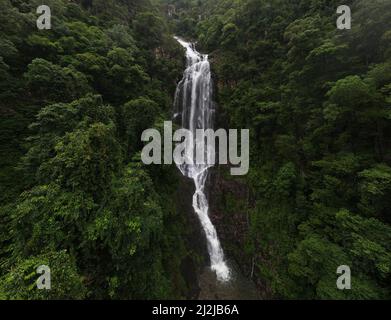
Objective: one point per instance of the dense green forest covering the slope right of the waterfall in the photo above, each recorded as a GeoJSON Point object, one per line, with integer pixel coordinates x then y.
{"type": "Point", "coordinates": [317, 101]}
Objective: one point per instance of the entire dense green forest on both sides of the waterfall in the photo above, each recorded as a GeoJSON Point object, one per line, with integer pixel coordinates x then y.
{"type": "Point", "coordinates": [75, 99]}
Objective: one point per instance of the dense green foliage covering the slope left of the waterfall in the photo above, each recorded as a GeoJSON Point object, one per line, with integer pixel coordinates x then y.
{"type": "Point", "coordinates": [74, 196]}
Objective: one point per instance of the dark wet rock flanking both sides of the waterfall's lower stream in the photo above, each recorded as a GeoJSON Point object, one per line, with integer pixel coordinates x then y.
{"type": "Point", "coordinates": [200, 280]}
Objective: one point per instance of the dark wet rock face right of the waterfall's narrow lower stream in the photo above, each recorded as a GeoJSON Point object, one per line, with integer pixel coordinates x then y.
{"type": "Point", "coordinates": [230, 201]}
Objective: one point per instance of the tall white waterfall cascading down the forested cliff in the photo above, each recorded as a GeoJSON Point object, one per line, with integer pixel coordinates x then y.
{"type": "Point", "coordinates": [194, 110]}
